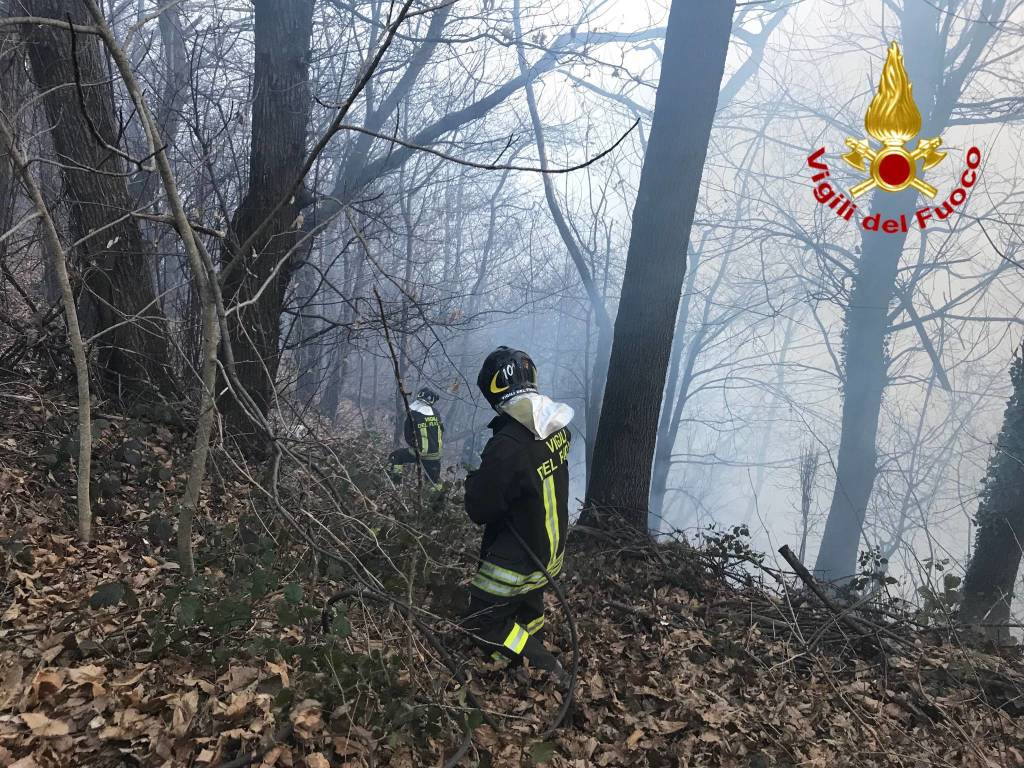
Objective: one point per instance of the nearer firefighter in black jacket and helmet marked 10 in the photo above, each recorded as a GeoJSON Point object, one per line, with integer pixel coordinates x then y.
{"type": "Point", "coordinates": [523, 486]}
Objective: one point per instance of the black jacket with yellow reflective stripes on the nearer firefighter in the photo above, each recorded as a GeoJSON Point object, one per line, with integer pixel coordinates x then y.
{"type": "Point", "coordinates": [523, 484]}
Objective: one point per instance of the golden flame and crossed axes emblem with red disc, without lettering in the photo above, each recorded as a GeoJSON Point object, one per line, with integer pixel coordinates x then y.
{"type": "Point", "coordinates": [893, 119]}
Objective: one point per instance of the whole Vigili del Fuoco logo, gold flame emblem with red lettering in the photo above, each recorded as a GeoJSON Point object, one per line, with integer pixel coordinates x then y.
{"type": "Point", "coordinates": [893, 120]}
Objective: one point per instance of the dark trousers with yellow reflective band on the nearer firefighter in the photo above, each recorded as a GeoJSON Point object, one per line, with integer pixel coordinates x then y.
{"type": "Point", "coordinates": [513, 628]}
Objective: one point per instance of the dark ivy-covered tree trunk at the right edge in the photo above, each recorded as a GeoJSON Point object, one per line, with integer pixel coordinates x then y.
{"type": "Point", "coordinates": [992, 575]}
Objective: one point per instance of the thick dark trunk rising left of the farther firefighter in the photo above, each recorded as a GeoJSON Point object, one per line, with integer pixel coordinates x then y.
{"type": "Point", "coordinates": [255, 285]}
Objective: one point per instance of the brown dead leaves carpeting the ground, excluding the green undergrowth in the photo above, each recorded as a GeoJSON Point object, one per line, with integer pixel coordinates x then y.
{"type": "Point", "coordinates": [667, 687]}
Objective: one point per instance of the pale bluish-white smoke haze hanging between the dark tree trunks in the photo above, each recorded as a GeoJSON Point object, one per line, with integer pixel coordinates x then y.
{"type": "Point", "coordinates": [466, 257]}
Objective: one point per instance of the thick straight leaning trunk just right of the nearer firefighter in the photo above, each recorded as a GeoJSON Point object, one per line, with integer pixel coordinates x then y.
{"type": "Point", "coordinates": [696, 47]}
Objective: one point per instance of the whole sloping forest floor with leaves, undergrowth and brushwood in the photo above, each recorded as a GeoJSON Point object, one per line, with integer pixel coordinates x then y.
{"type": "Point", "coordinates": [687, 658]}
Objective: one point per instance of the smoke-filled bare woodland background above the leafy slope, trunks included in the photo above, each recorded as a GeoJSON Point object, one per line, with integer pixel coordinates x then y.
{"type": "Point", "coordinates": [283, 222]}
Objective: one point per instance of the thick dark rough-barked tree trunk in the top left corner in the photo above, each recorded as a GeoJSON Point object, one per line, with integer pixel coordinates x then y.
{"type": "Point", "coordinates": [135, 350]}
